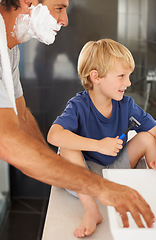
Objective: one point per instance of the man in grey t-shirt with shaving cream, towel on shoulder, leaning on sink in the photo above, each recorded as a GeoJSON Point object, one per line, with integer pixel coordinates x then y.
{"type": "Point", "coordinates": [21, 143]}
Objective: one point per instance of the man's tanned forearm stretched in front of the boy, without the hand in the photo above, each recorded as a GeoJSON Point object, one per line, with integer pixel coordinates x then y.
{"type": "Point", "coordinates": [19, 147]}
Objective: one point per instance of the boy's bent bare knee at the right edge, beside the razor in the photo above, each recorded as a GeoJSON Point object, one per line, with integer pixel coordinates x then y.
{"type": "Point", "coordinates": [142, 144]}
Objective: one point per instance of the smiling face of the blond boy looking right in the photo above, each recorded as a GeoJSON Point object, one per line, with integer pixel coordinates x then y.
{"type": "Point", "coordinates": [114, 84]}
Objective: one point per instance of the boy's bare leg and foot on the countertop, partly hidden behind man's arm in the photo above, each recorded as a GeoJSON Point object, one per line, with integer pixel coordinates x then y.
{"type": "Point", "coordinates": [92, 215]}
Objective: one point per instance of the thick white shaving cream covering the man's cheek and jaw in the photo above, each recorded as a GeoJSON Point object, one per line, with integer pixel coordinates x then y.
{"type": "Point", "coordinates": [40, 25]}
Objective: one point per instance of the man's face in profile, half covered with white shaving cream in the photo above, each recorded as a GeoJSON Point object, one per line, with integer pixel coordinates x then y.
{"type": "Point", "coordinates": [43, 22]}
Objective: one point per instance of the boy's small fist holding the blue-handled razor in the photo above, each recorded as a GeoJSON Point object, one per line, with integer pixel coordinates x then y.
{"type": "Point", "coordinates": [110, 146]}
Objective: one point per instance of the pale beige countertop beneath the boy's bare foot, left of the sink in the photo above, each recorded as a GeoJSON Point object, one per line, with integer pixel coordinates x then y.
{"type": "Point", "coordinates": [64, 215]}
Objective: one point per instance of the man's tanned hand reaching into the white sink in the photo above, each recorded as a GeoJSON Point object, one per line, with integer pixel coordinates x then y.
{"type": "Point", "coordinates": [126, 199]}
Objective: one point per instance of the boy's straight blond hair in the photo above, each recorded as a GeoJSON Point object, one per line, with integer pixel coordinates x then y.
{"type": "Point", "coordinates": [101, 56]}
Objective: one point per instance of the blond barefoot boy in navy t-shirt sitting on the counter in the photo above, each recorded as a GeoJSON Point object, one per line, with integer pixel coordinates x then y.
{"type": "Point", "coordinates": [90, 126]}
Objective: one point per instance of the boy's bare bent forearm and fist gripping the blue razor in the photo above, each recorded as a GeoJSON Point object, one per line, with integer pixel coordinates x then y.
{"type": "Point", "coordinates": [61, 137]}
